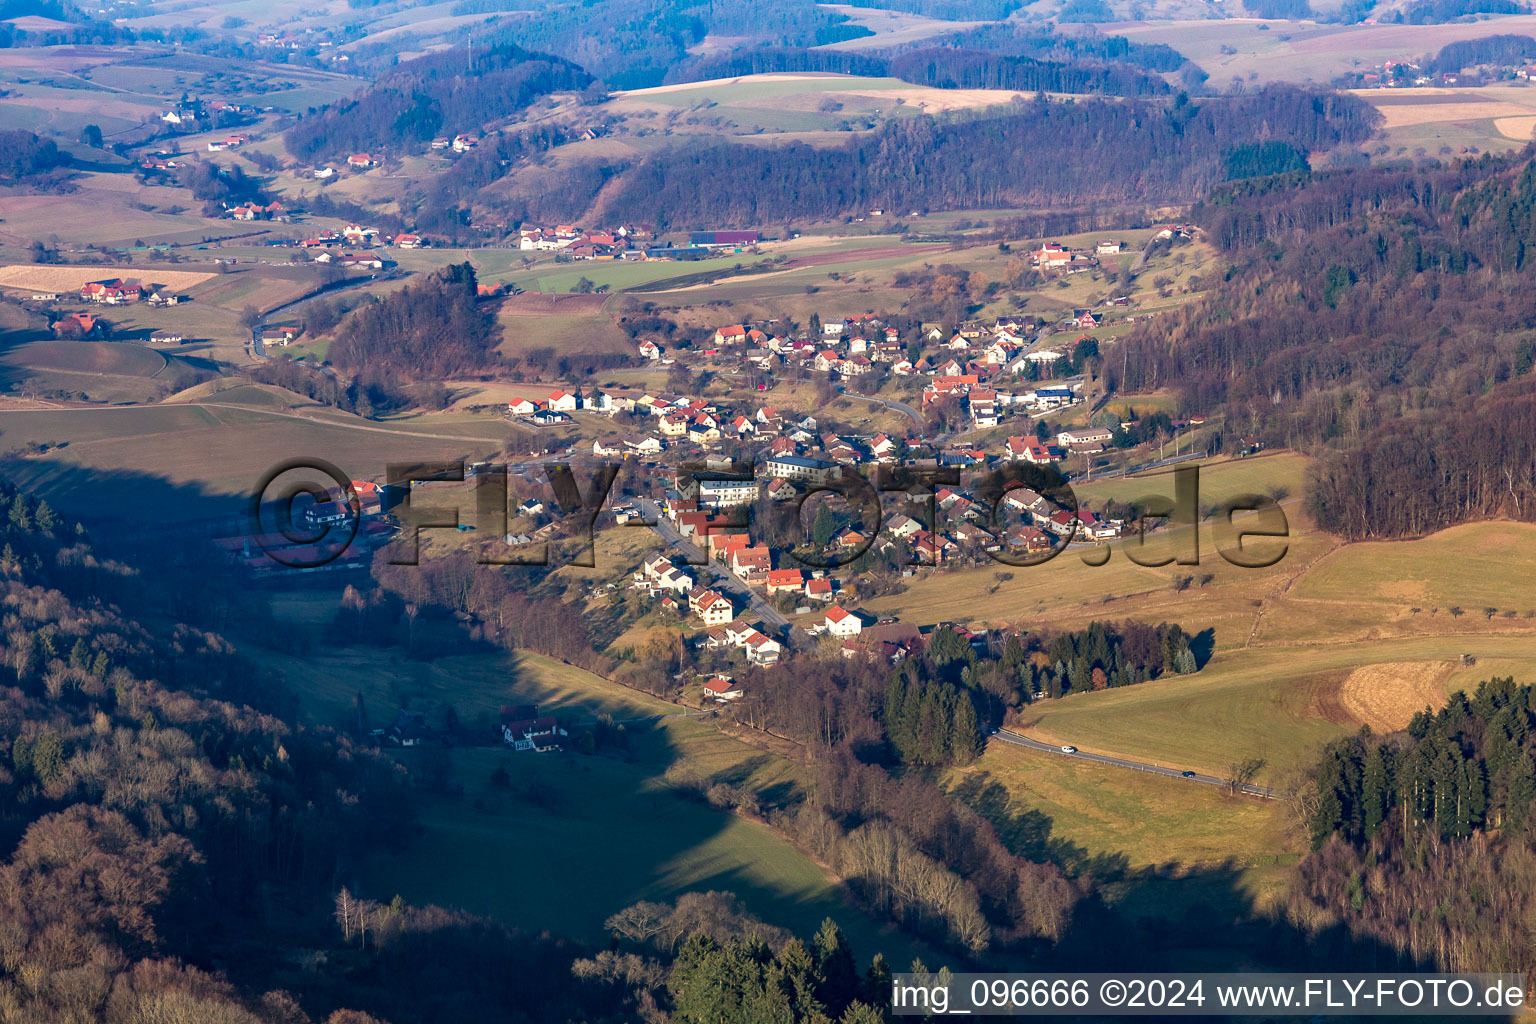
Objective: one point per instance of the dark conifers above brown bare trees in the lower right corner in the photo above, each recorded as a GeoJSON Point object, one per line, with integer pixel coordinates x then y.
{"type": "Point", "coordinates": [1440, 816]}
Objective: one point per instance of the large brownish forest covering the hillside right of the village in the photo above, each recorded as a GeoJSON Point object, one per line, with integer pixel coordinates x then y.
{"type": "Point", "coordinates": [1383, 319]}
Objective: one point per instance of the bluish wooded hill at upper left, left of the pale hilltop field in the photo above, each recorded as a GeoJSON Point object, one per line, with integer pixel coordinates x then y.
{"type": "Point", "coordinates": [442, 94]}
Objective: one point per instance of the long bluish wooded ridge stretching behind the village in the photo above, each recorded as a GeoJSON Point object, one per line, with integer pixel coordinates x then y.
{"type": "Point", "coordinates": [1041, 153]}
